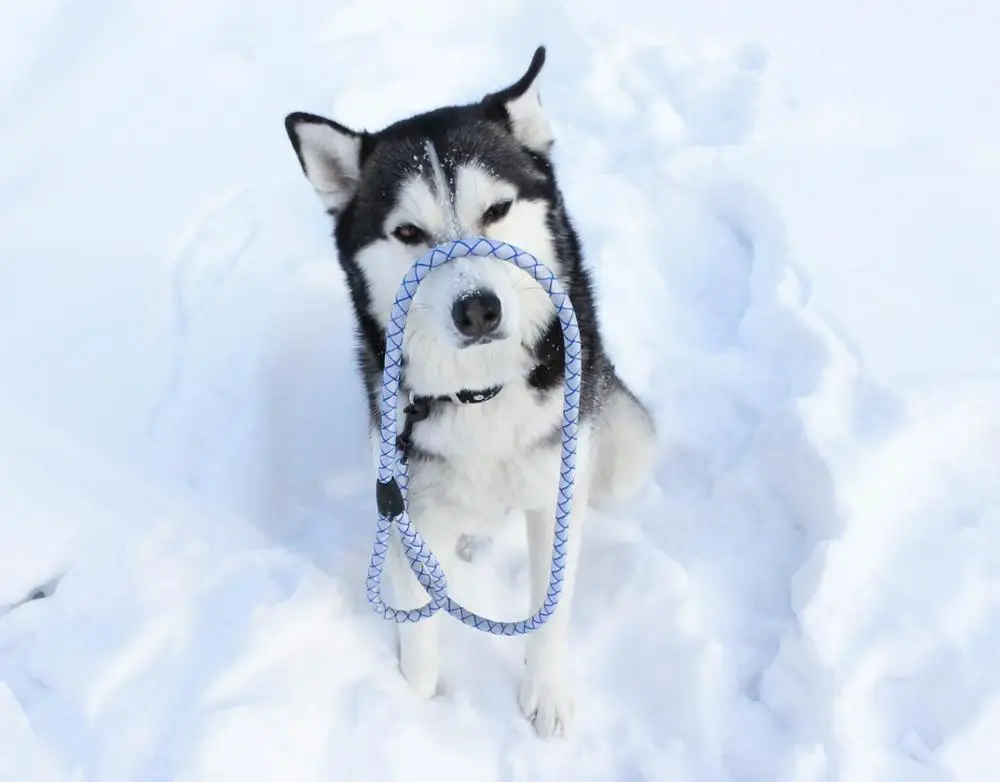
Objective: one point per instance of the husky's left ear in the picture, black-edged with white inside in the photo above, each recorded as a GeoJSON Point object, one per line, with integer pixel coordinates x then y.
{"type": "Point", "coordinates": [330, 155]}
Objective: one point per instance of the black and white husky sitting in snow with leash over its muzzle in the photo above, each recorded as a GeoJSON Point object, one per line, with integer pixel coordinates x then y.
{"type": "Point", "coordinates": [483, 349]}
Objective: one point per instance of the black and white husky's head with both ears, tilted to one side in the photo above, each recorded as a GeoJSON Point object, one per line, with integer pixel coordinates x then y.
{"type": "Point", "coordinates": [481, 169]}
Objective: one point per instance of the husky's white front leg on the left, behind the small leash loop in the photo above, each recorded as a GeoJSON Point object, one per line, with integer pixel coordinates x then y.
{"type": "Point", "coordinates": [419, 642]}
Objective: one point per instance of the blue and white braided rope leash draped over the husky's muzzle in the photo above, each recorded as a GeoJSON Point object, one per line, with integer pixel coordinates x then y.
{"type": "Point", "coordinates": [393, 474]}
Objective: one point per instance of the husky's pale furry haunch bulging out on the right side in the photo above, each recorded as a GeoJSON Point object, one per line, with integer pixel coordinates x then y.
{"type": "Point", "coordinates": [624, 438]}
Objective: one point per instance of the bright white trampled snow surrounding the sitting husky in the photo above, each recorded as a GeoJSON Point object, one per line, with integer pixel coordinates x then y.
{"type": "Point", "coordinates": [788, 208]}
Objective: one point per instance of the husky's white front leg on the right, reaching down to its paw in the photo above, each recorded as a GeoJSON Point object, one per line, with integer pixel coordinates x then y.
{"type": "Point", "coordinates": [546, 693]}
